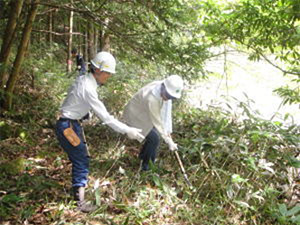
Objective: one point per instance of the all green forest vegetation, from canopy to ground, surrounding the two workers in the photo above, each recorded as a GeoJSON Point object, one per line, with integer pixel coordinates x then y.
{"type": "Point", "coordinates": [243, 169]}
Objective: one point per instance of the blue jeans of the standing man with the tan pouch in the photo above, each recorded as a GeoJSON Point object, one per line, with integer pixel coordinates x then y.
{"type": "Point", "coordinates": [78, 155]}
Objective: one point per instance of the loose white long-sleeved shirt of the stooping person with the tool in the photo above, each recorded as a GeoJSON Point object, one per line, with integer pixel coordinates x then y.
{"type": "Point", "coordinates": [147, 109]}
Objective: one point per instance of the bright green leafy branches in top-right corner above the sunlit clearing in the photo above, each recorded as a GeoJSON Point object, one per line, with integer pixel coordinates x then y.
{"type": "Point", "coordinates": [265, 29]}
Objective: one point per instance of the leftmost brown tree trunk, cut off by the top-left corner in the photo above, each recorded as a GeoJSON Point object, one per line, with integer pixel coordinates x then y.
{"type": "Point", "coordinates": [8, 37]}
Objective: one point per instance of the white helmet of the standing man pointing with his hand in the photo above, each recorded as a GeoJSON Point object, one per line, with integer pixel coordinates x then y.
{"type": "Point", "coordinates": [105, 62]}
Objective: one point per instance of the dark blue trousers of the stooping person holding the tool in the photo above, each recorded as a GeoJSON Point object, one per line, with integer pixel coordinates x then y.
{"type": "Point", "coordinates": [149, 149]}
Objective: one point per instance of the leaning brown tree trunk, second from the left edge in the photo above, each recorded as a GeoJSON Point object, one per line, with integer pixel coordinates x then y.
{"type": "Point", "coordinates": [20, 56]}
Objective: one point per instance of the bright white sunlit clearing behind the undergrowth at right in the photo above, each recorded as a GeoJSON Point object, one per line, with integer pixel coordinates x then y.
{"type": "Point", "coordinates": [244, 81]}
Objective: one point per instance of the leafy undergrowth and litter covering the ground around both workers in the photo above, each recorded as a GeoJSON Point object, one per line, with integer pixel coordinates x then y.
{"type": "Point", "coordinates": [242, 171]}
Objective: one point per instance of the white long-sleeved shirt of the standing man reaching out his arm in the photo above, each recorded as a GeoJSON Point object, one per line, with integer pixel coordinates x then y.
{"type": "Point", "coordinates": [82, 97]}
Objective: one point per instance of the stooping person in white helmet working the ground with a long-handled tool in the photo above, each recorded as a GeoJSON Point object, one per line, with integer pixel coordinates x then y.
{"type": "Point", "coordinates": [150, 110]}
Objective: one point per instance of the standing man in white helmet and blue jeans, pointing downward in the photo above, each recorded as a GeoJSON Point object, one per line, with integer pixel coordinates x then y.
{"type": "Point", "coordinates": [82, 97]}
